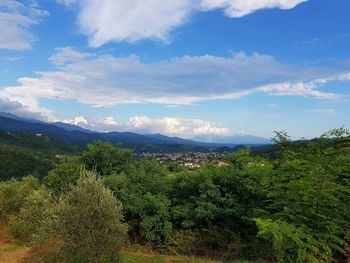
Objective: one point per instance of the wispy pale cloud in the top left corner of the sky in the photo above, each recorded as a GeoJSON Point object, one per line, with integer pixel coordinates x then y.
{"type": "Point", "coordinates": [16, 19]}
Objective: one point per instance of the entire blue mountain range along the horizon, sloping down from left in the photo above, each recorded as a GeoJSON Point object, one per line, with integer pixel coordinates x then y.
{"type": "Point", "coordinates": [74, 134]}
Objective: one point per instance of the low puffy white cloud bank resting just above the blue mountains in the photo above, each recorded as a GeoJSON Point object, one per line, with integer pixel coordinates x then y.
{"type": "Point", "coordinates": [184, 127]}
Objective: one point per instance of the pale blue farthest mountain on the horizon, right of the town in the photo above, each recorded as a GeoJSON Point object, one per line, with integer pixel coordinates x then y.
{"type": "Point", "coordinates": [237, 139]}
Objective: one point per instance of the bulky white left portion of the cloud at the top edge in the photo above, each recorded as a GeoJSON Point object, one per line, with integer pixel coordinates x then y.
{"type": "Point", "coordinates": [130, 20]}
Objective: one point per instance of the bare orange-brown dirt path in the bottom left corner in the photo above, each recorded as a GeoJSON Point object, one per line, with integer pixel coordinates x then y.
{"type": "Point", "coordinates": [12, 253]}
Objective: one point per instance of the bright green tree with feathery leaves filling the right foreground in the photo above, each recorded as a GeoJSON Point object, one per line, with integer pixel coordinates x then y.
{"type": "Point", "coordinates": [308, 202]}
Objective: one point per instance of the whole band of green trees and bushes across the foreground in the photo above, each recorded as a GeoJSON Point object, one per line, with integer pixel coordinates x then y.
{"type": "Point", "coordinates": [288, 203]}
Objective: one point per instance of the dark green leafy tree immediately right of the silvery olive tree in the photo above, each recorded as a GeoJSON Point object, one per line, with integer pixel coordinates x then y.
{"type": "Point", "coordinates": [143, 191]}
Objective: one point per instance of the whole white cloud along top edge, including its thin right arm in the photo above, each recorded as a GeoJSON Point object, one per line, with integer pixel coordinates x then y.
{"type": "Point", "coordinates": [132, 20]}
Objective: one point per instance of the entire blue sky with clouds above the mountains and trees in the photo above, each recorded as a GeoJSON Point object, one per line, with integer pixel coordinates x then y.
{"type": "Point", "coordinates": [187, 68]}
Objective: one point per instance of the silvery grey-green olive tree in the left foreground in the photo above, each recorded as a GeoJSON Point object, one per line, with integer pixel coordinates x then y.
{"type": "Point", "coordinates": [88, 220]}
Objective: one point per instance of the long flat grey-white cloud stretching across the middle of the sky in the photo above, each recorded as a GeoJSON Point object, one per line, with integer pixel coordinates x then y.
{"type": "Point", "coordinates": [107, 80]}
